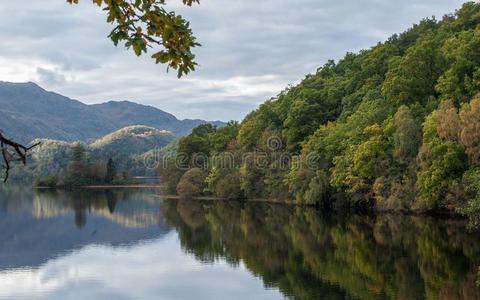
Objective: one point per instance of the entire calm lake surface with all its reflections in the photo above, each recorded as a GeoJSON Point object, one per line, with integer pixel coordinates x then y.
{"type": "Point", "coordinates": [127, 244]}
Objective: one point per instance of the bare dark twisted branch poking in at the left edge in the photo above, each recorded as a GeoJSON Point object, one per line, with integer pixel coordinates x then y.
{"type": "Point", "coordinates": [13, 152]}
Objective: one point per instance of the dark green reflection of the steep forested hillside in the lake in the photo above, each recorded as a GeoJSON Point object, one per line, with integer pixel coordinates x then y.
{"type": "Point", "coordinates": [309, 256]}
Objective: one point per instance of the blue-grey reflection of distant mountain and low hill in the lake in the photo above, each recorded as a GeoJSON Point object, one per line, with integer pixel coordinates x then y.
{"type": "Point", "coordinates": [38, 225]}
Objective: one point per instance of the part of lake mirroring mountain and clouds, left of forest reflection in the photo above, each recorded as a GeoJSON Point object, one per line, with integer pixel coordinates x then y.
{"type": "Point", "coordinates": [127, 254]}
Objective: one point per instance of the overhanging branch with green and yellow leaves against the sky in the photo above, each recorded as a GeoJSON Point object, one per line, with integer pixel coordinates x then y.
{"type": "Point", "coordinates": [143, 24]}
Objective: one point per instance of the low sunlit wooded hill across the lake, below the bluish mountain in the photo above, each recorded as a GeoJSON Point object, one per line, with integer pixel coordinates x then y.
{"type": "Point", "coordinates": [58, 163]}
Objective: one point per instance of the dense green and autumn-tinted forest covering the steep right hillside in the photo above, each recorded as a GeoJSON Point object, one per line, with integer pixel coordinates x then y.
{"type": "Point", "coordinates": [395, 127]}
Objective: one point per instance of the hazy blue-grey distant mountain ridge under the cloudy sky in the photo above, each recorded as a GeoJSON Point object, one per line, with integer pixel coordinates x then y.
{"type": "Point", "coordinates": [27, 112]}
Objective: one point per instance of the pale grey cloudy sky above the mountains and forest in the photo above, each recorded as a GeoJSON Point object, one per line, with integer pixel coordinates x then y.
{"type": "Point", "coordinates": [252, 49]}
